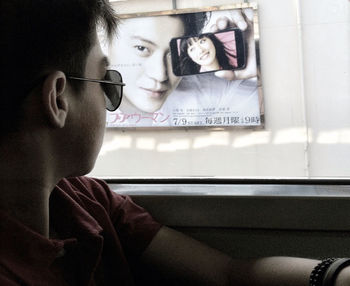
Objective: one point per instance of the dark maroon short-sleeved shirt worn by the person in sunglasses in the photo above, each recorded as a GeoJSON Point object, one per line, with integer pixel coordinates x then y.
{"type": "Point", "coordinates": [100, 236]}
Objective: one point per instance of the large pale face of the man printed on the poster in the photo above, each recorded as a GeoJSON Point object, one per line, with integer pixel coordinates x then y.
{"type": "Point", "coordinates": [142, 55]}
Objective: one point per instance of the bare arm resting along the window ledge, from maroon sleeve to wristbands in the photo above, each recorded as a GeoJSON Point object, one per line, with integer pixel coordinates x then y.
{"type": "Point", "coordinates": [189, 262]}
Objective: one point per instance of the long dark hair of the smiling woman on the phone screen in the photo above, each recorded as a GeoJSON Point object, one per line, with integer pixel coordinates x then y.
{"type": "Point", "coordinates": [188, 66]}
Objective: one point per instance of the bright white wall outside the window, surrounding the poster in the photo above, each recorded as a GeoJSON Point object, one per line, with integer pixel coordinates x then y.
{"type": "Point", "coordinates": [304, 50]}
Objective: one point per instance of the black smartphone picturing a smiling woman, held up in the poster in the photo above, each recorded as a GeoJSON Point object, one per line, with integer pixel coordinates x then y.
{"type": "Point", "coordinates": [208, 52]}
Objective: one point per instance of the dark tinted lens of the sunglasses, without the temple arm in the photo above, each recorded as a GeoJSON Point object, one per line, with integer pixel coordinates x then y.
{"type": "Point", "coordinates": [113, 92]}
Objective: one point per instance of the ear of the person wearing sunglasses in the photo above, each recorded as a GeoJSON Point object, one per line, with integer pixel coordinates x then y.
{"type": "Point", "coordinates": [55, 98]}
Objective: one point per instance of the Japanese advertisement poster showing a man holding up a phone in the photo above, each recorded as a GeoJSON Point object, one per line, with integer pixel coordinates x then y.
{"type": "Point", "coordinates": [188, 69]}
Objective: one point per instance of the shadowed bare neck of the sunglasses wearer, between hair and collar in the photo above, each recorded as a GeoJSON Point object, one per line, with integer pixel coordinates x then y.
{"type": "Point", "coordinates": [26, 181]}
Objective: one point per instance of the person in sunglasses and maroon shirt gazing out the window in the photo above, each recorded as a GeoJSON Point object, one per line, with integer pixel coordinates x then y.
{"type": "Point", "coordinates": [57, 227]}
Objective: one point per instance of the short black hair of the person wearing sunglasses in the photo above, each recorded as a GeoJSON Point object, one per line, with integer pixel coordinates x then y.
{"type": "Point", "coordinates": [40, 36]}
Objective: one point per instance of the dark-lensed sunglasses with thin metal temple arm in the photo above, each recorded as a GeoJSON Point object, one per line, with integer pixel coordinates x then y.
{"type": "Point", "coordinates": [112, 85]}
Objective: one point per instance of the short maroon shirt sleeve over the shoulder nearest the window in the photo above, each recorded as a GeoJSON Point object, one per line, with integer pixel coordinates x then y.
{"type": "Point", "coordinates": [134, 225]}
